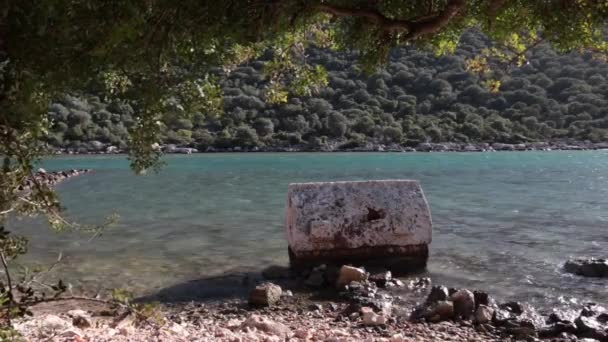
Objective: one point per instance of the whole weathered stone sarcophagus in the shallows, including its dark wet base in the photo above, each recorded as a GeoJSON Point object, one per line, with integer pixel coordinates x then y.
{"type": "Point", "coordinates": [378, 223]}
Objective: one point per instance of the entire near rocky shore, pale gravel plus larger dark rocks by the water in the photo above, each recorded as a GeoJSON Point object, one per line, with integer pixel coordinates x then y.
{"type": "Point", "coordinates": [326, 303]}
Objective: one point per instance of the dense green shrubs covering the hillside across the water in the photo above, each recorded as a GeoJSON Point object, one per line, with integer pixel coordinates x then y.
{"type": "Point", "coordinates": [415, 98]}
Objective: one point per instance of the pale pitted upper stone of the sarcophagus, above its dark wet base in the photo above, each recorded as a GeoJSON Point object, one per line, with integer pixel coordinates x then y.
{"type": "Point", "coordinates": [357, 214]}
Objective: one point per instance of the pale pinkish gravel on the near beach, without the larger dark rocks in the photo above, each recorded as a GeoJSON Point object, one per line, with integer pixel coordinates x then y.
{"type": "Point", "coordinates": [234, 321]}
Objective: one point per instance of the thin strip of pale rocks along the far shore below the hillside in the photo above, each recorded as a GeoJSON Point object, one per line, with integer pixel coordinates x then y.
{"type": "Point", "coordinates": [369, 147]}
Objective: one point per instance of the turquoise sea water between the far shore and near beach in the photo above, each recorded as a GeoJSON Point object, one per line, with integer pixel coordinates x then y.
{"type": "Point", "coordinates": [503, 222]}
